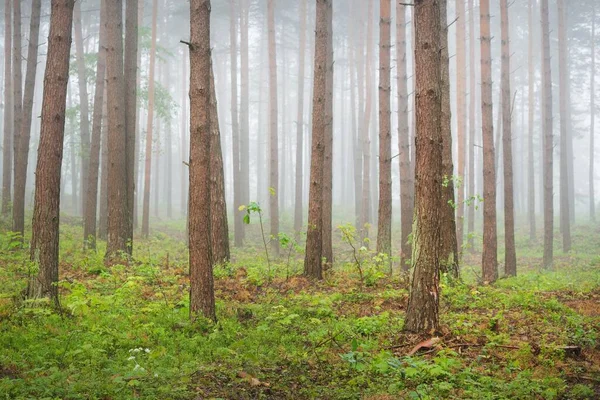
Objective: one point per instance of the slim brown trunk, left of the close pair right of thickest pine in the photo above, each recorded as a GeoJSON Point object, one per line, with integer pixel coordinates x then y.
{"type": "Point", "coordinates": [490, 239]}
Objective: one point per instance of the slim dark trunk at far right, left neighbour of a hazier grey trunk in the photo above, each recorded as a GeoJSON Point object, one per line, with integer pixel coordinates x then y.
{"type": "Point", "coordinates": [547, 128]}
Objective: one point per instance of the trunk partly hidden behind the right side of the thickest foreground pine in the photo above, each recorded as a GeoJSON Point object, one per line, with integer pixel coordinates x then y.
{"type": "Point", "coordinates": [449, 246]}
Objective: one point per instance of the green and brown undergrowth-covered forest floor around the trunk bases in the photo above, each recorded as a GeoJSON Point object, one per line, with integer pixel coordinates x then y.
{"type": "Point", "coordinates": [123, 332]}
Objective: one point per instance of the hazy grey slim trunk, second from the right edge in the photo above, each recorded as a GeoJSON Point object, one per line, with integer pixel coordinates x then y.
{"type": "Point", "coordinates": [565, 128]}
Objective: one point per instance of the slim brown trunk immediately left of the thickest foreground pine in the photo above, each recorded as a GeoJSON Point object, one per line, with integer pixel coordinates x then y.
{"type": "Point", "coordinates": [406, 179]}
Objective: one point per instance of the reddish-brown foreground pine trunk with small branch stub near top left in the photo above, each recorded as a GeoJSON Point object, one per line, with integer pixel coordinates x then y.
{"type": "Point", "coordinates": [202, 298]}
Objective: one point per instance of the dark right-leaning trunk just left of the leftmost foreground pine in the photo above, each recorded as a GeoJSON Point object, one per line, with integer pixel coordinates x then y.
{"type": "Point", "coordinates": [22, 152]}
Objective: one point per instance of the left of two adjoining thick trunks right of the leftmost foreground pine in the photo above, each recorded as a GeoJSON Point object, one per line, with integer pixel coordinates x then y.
{"type": "Point", "coordinates": [118, 240]}
